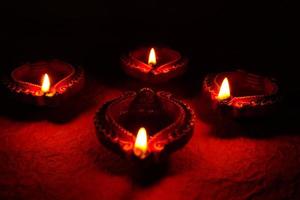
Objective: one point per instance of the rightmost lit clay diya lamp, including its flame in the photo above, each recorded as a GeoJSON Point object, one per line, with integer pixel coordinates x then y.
{"type": "Point", "coordinates": [241, 94]}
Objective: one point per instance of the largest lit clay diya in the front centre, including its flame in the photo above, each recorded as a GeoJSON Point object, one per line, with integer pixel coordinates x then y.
{"type": "Point", "coordinates": [145, 124]}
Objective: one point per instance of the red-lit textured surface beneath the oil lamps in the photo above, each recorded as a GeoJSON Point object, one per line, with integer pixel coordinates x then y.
{"type": "Point", "coordinates": [43, 158]}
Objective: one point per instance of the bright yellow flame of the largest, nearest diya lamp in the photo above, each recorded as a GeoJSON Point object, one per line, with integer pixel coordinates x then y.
{"type": "Point", "coordinates": [141, 143]}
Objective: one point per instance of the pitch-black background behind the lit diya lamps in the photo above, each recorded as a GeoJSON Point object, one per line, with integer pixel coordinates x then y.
{"type": "Point", "coordinates": [215, 35]}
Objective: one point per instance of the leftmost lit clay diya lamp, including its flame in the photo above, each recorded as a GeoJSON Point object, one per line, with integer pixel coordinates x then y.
{"type": "Point", "coordinates": [45, 83]}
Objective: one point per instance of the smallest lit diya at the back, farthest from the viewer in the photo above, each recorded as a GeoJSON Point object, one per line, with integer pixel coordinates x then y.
{"type": "Point", "coordinates": [154, 65]}
